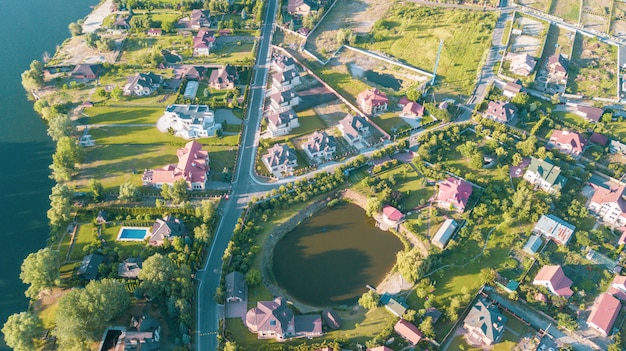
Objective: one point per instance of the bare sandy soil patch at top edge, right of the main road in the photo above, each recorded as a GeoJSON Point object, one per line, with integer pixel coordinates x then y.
{"type": "Point", "coordinates": [357, 15]}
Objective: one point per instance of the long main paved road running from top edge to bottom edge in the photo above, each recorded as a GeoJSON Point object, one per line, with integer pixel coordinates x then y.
{"type": "Point", "coordinates": [209, 312]}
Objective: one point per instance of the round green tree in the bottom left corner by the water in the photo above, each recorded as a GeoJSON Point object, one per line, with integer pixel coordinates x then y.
{"type": "Point", "coordinates": [21, 330]}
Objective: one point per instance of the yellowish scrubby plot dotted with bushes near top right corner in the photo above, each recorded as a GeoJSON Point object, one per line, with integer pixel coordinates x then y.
{"type": "Point", "coordinates": [593, 68]}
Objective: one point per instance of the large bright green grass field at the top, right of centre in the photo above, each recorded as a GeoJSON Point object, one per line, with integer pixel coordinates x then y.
{"type": "Point", "coordinates": [466, 36]}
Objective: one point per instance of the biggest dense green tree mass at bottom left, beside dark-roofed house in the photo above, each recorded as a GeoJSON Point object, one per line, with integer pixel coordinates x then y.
{"type": "Point", "coordinates": [83, 313]}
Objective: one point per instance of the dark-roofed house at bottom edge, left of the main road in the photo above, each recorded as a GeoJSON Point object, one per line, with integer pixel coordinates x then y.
{"type": "Point", "coordinates": [143, 335]}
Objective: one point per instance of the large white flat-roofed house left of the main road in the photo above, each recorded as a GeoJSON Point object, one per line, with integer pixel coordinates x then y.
{"type": "Point", "coordinates": [191, 121]}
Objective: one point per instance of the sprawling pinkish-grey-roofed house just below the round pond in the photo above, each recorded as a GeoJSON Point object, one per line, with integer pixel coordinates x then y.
{"type": "Point", "coordinates": [275, 320]}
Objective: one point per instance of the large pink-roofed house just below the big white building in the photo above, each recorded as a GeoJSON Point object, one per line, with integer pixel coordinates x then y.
{"type": "Point", "coordinates": [193, 167]}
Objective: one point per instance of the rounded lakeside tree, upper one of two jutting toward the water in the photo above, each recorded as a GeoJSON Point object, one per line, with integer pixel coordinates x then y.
{"type": "Point", "coordinates": [41, 271]}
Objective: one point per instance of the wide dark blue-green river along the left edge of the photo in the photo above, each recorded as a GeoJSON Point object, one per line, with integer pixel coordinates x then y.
{"type": "Point", "coordinates": [28, 28]}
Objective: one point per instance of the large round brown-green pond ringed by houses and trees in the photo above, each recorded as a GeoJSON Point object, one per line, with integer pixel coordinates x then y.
{"type": "Point", "coordinates": [329, 259]}
